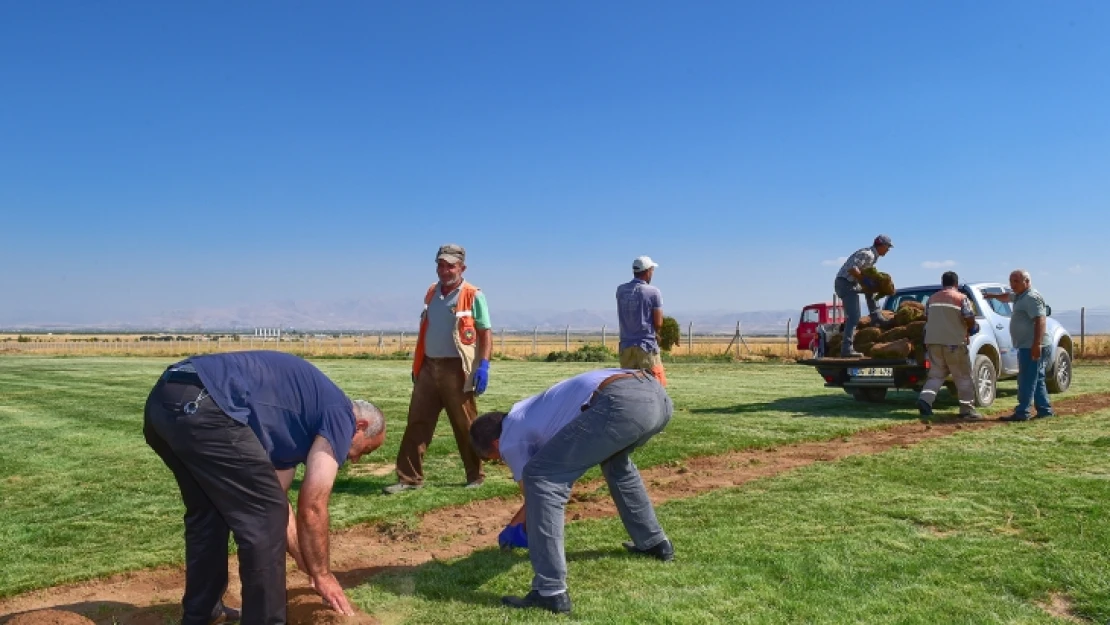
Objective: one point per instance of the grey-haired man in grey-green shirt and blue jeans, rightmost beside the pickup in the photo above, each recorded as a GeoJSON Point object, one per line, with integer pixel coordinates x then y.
{"type": "Point", "coordinates": [1034, 345]}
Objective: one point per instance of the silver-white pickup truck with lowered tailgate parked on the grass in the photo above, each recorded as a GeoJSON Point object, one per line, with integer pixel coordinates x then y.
{"type": "Point", "coordinates": [994, 356]}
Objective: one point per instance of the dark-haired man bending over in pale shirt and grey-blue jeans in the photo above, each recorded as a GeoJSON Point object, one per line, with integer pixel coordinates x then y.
{"type": "Point", "coordinates": [550, 440]}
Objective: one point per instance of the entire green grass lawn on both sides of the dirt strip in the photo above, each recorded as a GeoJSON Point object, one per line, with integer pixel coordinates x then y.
{"type": "Point", "coordinates": [977, 528]}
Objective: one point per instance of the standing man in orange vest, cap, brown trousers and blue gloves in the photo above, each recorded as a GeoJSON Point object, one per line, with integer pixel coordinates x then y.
{"type": "Point", "coordinates": [450, 369]}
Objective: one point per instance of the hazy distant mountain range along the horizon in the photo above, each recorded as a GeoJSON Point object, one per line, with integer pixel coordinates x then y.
{"type": "Point", "coordinates": [372, 316]}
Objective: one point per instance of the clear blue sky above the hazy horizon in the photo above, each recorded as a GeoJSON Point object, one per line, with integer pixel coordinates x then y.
{"type": "Point", "coordinates": [164, 156]}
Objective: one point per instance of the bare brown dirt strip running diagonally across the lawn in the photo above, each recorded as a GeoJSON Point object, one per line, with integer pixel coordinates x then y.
{"type": "Point", "coordinates": [153, 597]}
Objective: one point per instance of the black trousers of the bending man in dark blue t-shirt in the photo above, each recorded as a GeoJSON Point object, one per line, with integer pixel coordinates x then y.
{"type": "Point", "coordinates": [228, 486]}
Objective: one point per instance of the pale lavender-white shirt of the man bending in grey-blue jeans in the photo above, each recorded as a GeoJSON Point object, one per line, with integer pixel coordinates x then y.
{"type": "Point", "coordinates": [534, 421]}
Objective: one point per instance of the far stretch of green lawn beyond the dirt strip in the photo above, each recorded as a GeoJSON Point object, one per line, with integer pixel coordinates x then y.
{"type": "Point", "coordinates": [84, 497]}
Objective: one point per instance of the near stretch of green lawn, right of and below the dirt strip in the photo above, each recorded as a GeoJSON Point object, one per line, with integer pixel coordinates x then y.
{"type": "Point", "coordinates": [987, 527]}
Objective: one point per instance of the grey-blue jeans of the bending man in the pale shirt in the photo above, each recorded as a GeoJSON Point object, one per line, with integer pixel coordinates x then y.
{"type": "Point", "coordinates": [622, 418]}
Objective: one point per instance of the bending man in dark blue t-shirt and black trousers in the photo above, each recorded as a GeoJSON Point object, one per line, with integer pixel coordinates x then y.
{"type": "Point", "coordinates": [234, 428]}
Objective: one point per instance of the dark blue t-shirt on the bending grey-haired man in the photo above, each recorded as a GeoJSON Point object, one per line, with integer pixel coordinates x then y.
{"type": "Point", "coordinates": [286, 400]}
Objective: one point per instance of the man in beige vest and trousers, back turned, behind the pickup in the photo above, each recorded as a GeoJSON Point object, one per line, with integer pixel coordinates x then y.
{"type": "Point", "coordinates": [948, 320]}
